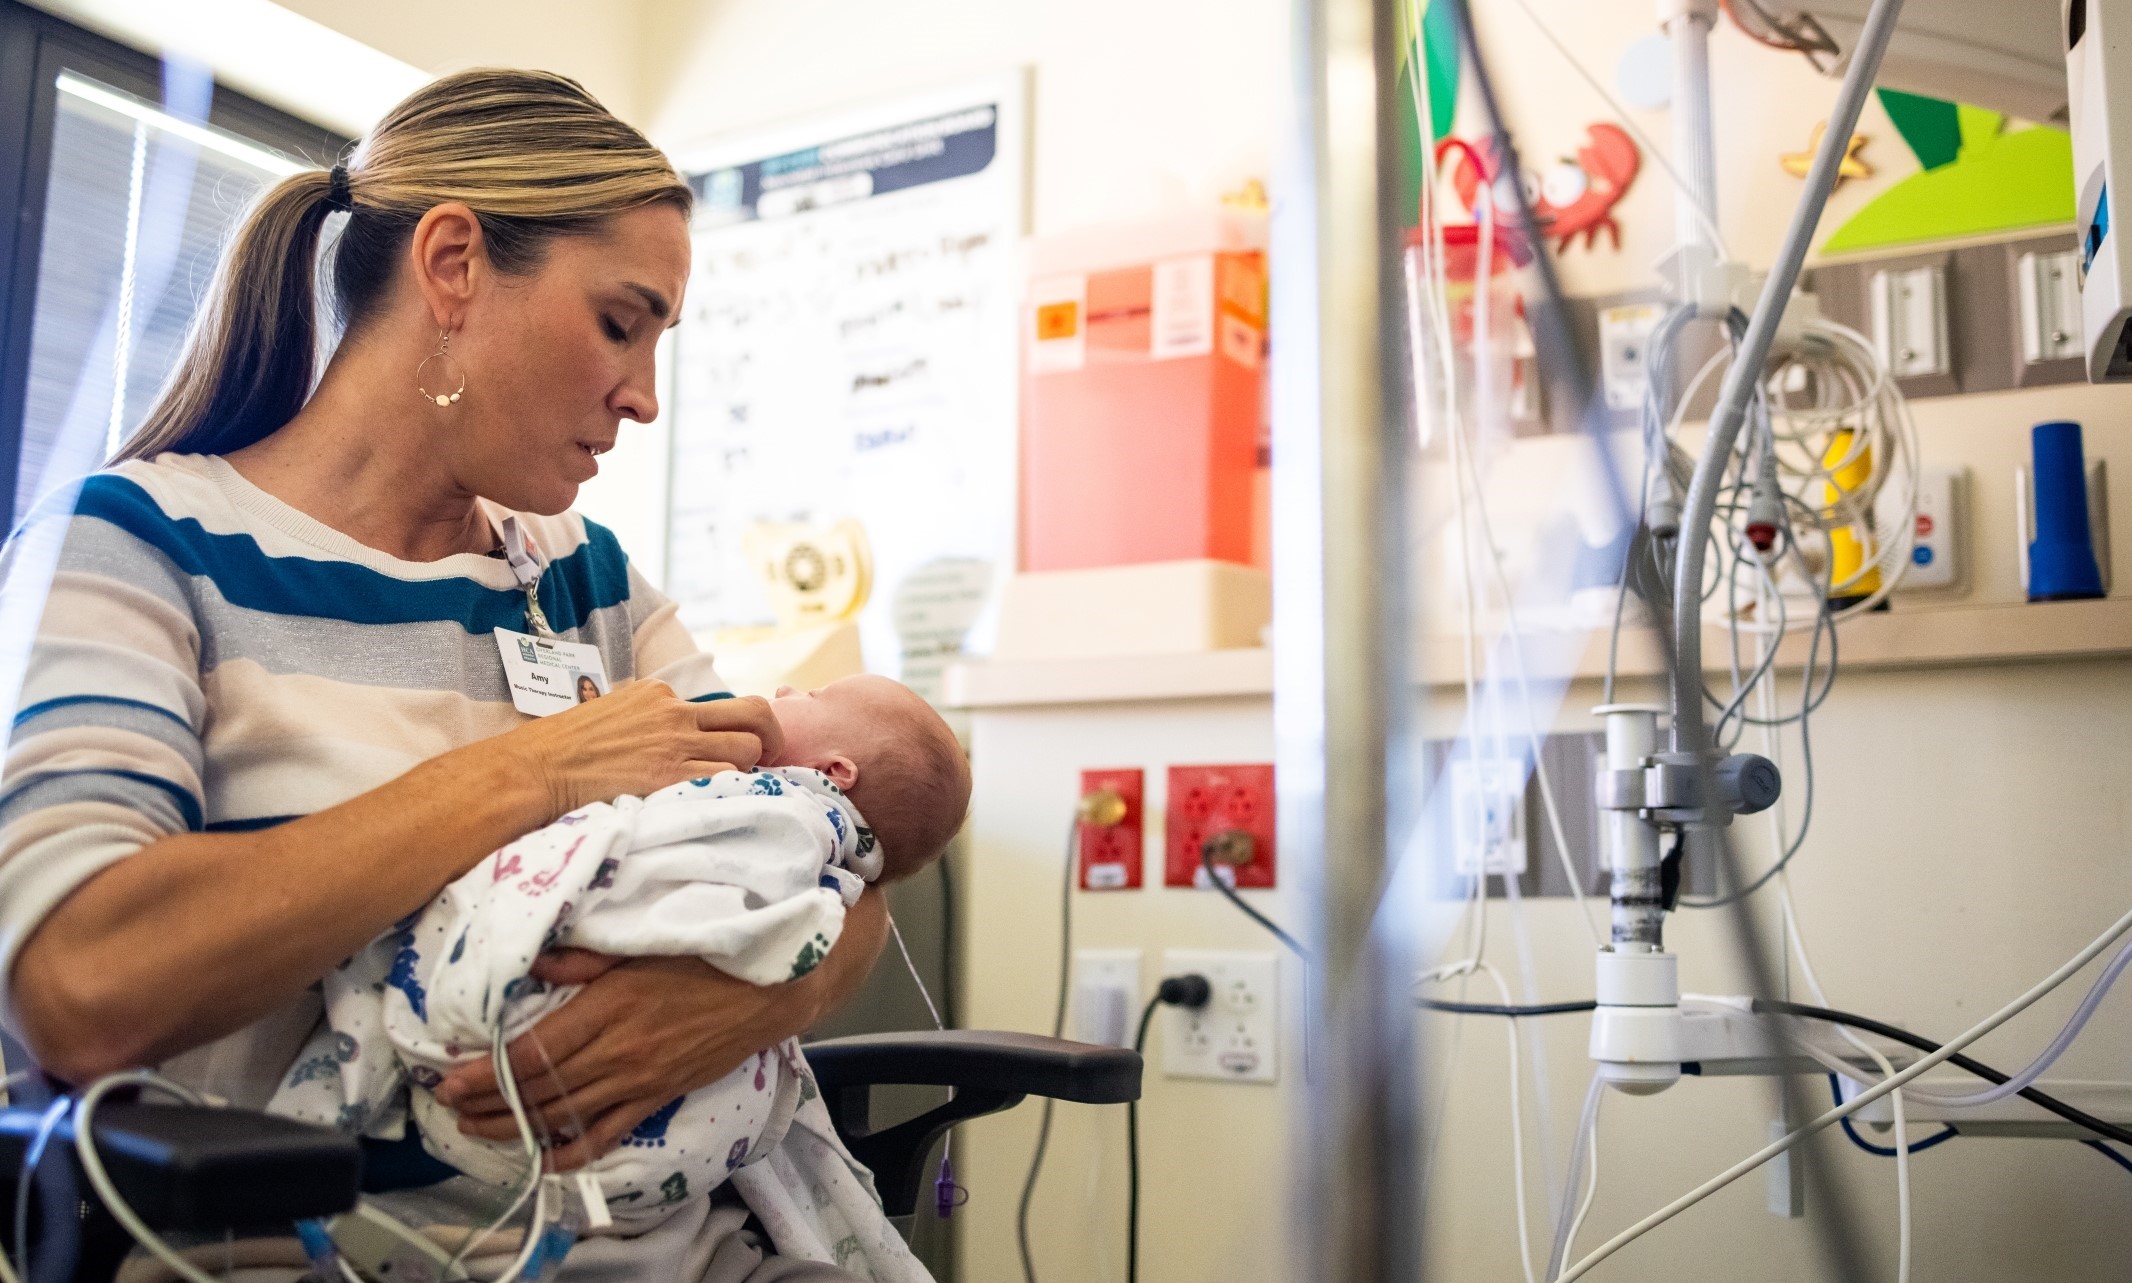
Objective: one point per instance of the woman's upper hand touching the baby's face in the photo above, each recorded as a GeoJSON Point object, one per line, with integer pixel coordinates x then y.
{"type": "Point", "coordinates": [639, 738]}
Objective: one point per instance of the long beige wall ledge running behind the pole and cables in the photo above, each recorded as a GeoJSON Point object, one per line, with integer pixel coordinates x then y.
{"type": "Point", "coordinates": [1928, 638]}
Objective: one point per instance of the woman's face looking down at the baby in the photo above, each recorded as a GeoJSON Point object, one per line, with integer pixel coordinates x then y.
{"type": "Point", "coordinates": [555, 361]}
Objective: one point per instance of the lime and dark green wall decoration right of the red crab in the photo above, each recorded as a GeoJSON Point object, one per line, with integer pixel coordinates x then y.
{"type": "Point", "coordinates": [1977, 178]}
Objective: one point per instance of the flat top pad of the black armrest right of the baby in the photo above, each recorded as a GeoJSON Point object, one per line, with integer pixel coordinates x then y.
{"type": "Point", "coordinates": [1024, 1065]}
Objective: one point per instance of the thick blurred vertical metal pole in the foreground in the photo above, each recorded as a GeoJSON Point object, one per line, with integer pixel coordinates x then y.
{"type": "Point", "coordinates": [1342, 647]}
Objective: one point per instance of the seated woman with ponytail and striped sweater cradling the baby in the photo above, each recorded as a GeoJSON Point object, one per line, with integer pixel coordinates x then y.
{"type": "Point", "coordinates": [265, 715]}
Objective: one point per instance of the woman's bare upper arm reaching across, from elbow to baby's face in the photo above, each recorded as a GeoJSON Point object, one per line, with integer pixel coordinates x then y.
{"type": "Point", "coordinates": [201, 935]}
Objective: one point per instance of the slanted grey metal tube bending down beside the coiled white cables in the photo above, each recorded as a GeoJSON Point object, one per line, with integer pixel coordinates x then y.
{"type": "Point", "coordinates": [1745, 376]}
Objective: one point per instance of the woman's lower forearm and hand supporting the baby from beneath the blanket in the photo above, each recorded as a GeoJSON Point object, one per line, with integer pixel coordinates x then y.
{"type": "Point", "coordinates": [649, 1030]}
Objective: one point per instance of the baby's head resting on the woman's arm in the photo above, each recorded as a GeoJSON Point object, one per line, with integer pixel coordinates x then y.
{"type": "Point", "coordinates": [890, 753]}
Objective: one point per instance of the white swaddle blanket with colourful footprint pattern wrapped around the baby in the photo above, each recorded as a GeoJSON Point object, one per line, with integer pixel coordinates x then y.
{"type": "Point", "coordinates": [747, 871]}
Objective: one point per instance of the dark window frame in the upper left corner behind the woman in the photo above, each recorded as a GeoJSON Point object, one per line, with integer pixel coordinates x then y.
{"type": "Point", "coordinates": [35, 48]}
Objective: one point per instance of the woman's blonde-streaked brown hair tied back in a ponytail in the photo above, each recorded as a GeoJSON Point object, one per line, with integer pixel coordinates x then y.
{"type": "Point", "coordinates": [530, 152]}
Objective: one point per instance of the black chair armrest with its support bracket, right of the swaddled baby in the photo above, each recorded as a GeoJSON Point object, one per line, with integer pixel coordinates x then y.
{"type": "Point", "coordinates": [990, 1071]}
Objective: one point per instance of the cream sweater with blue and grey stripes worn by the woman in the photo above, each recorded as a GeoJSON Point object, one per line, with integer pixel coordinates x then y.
{"type": "Point", "coordinates": [204, 657]}
